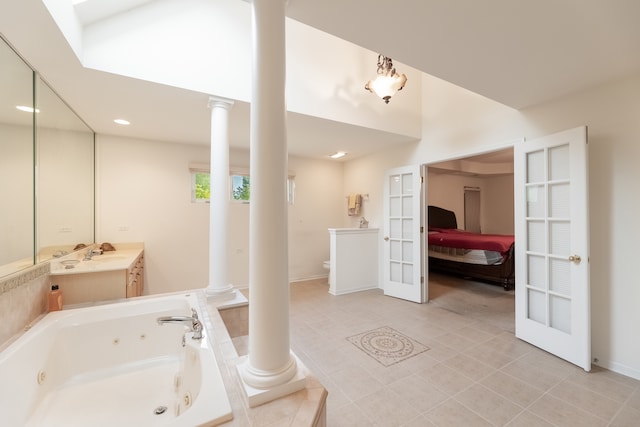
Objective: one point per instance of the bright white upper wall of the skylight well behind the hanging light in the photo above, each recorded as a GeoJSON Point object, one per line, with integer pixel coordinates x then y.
{"type": "Point", "coordinates": [205, 46]}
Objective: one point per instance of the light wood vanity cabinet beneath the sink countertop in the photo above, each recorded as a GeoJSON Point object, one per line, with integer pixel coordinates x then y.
{"type": "Point", "coordinates": [102, 285]}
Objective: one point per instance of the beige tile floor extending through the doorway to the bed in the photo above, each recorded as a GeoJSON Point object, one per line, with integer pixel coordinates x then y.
{"type": "Point", "coordinates": [476, 372]}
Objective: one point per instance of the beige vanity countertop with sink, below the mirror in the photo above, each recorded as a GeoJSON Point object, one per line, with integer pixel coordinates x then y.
{"type": "Point", "coordinates": [120, 259]}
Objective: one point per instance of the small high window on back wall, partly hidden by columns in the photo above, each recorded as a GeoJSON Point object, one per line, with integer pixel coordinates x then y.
{"type": "Point", "coordinates": [240, 186]}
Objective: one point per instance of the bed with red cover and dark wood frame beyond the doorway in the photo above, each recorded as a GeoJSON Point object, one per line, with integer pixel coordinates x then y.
{"type": "Point", "coordinates": [485, 257]}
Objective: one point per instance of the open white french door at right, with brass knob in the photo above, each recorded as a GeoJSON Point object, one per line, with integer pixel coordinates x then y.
{"type": "Point", "coordinates": [552, 245]}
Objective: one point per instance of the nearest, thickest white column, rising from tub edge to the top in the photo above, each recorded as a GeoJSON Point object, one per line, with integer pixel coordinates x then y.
{"type": "Point", "coordinates": [271, 370]}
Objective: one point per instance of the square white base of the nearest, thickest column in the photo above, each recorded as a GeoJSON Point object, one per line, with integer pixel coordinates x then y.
{"type": "Point", "coordinates": [258, 396]}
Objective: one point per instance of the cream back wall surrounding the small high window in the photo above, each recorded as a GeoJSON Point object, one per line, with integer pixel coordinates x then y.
{"type": "Point", "coordinates": [143, 194]}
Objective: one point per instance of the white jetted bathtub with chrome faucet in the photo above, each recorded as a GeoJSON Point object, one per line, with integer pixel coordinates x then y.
{"type": "Point", "coordinates": [113, 365]}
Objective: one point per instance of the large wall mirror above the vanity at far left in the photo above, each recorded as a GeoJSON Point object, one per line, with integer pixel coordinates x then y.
{"type": "Point", "coordinates": [46, 170]}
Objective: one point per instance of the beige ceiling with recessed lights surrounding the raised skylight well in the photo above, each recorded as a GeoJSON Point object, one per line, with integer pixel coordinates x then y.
{"type": "Point", "coordinates": [517, 53]}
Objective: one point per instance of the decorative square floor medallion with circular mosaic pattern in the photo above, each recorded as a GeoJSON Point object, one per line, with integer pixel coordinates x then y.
{"type": "Point", "coordinates": [386, 345]}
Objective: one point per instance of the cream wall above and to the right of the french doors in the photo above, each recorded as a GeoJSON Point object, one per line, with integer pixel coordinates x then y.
{"type": "Point", "coordinates": [458, 123]}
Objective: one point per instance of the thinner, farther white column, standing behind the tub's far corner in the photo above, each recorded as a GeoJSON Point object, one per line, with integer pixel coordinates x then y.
{"type": "Point", "coordinates": [219, 285]}
